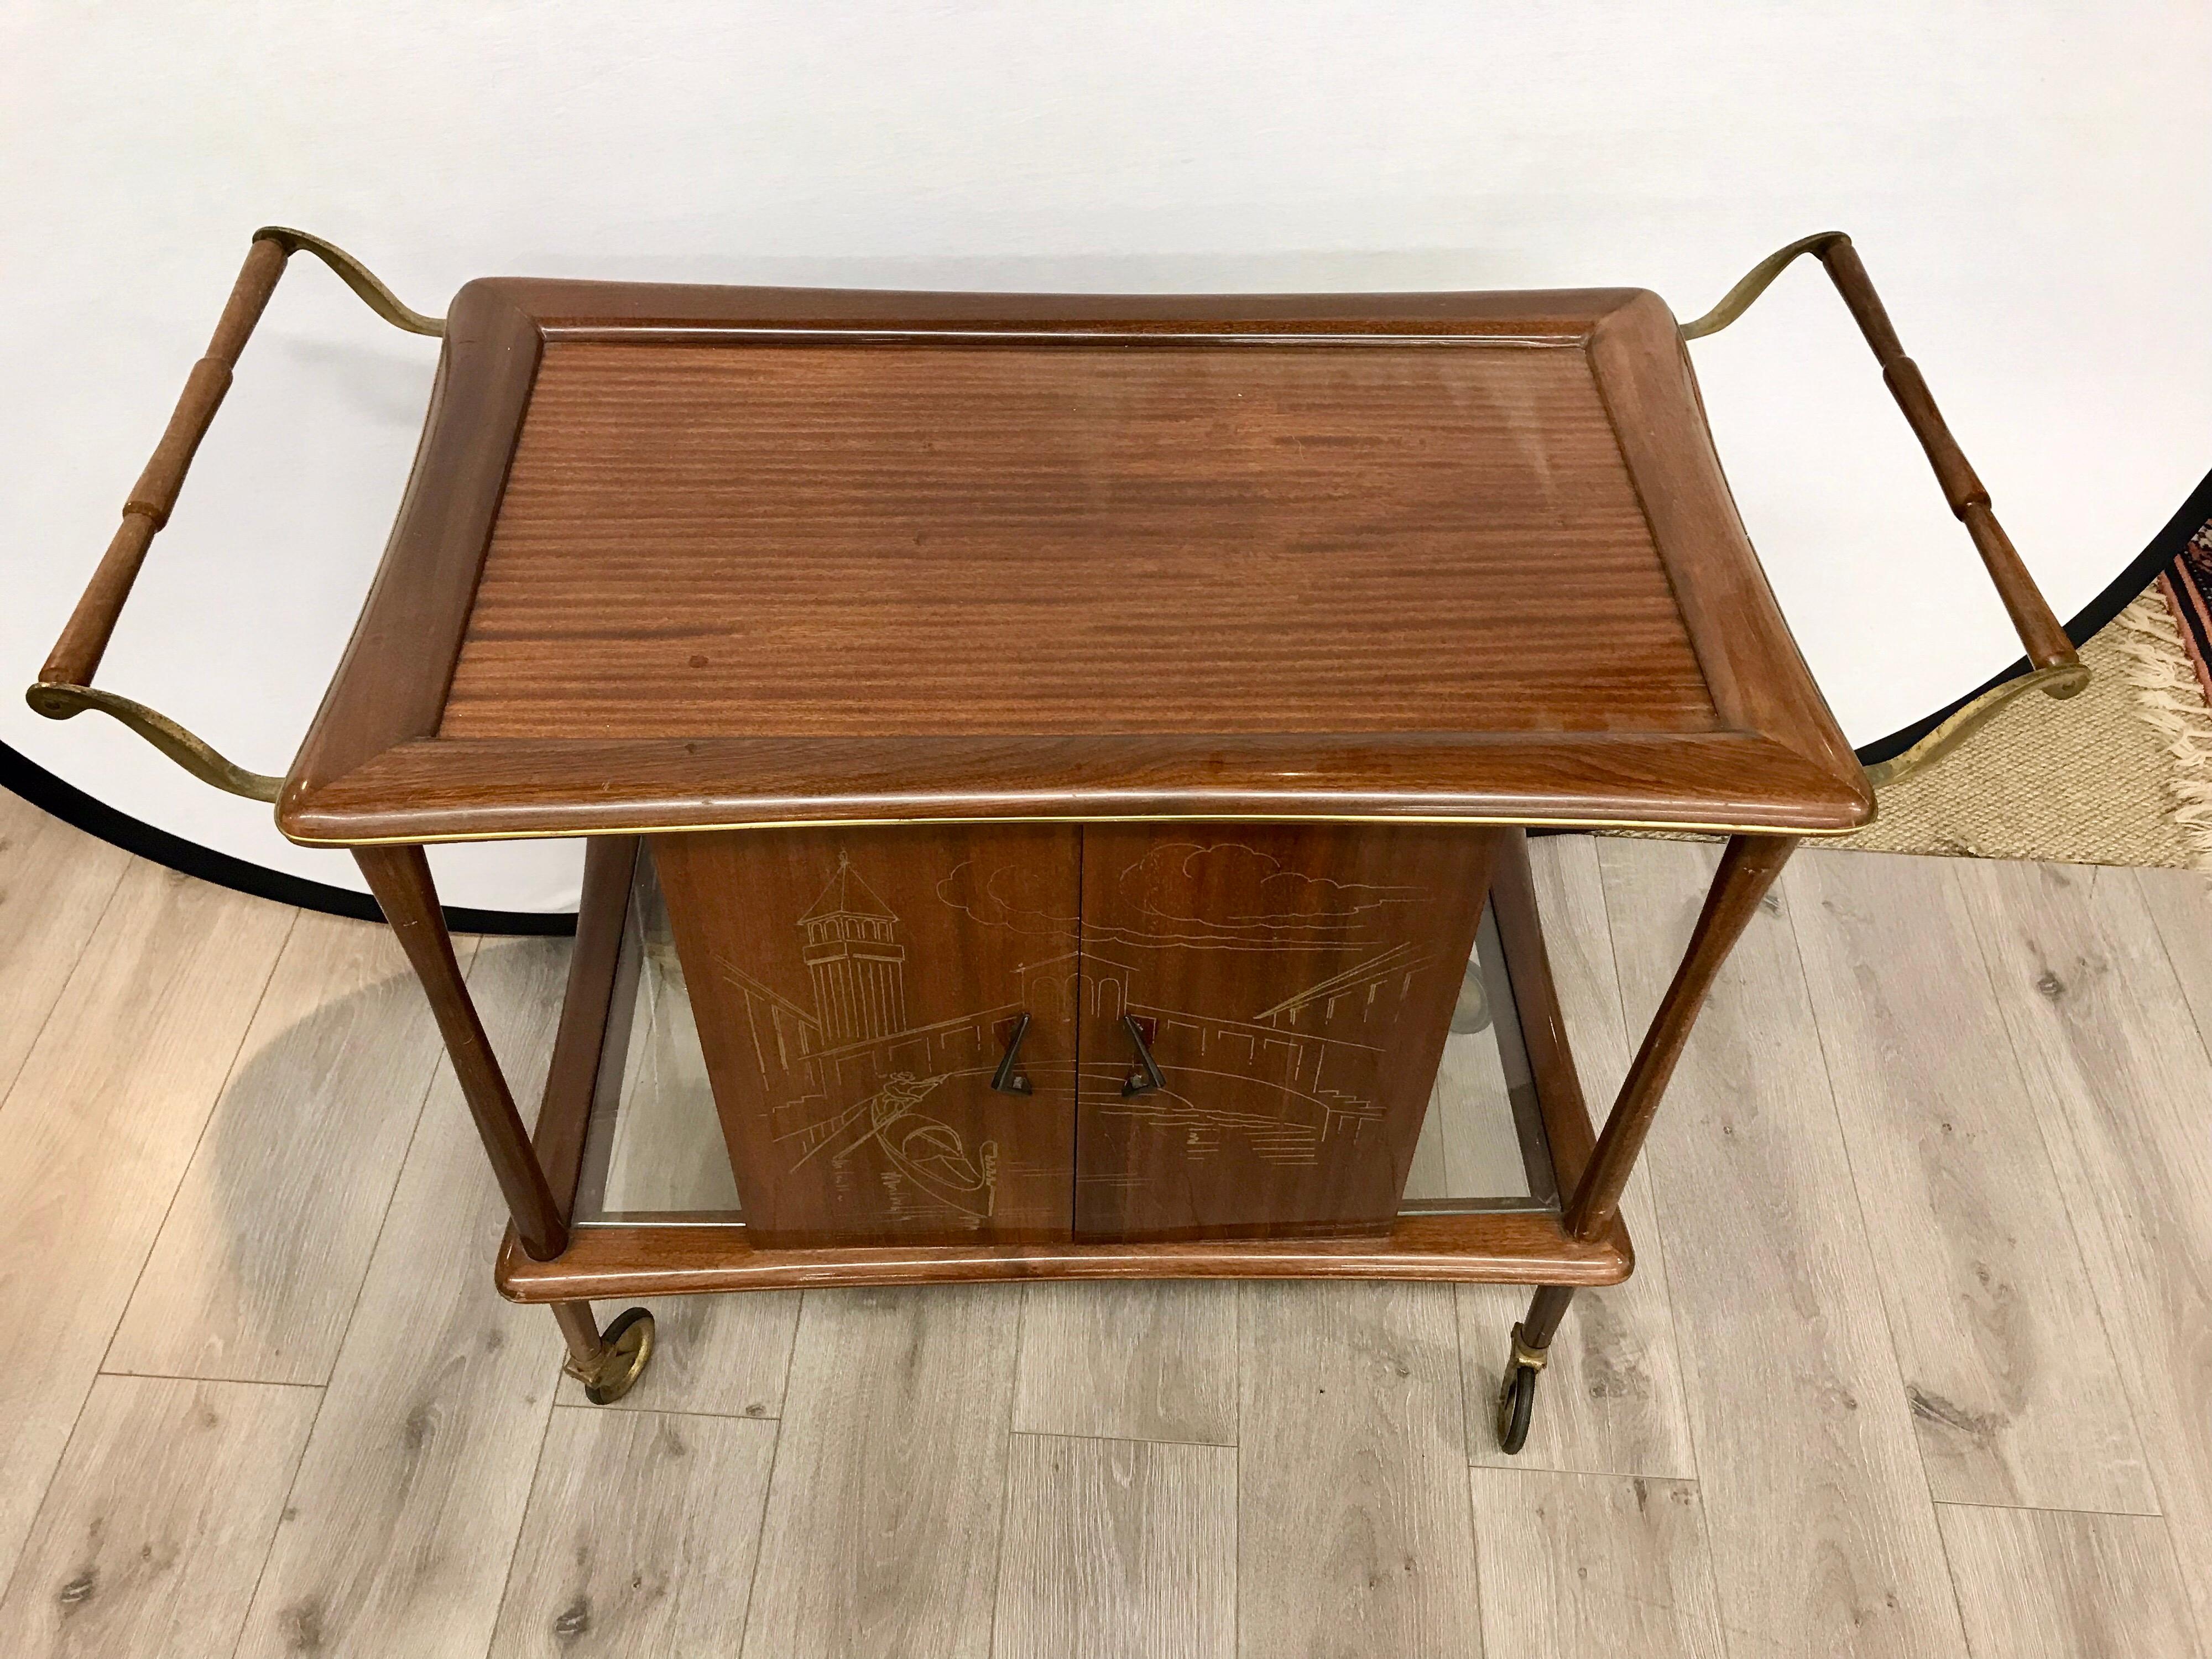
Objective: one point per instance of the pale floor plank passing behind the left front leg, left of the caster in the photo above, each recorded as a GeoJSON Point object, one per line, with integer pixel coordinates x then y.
{"type": "Point", "coordinates": [410, 1499]}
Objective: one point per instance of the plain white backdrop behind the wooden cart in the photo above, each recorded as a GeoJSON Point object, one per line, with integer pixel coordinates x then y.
{"type": "Point", "coordinates": [2032, 187]}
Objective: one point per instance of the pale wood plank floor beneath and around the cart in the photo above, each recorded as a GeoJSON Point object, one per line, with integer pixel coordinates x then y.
{"type": "Point", "coordinates": [432, 1490]}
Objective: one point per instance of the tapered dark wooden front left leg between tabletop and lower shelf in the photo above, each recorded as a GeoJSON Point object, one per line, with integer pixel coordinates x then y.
{"type": "Point", "coordinates": [401, 881]}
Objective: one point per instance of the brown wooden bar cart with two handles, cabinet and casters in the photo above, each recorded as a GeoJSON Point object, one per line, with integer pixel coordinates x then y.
{"type": "Point", "coordinates": [1056, 769]}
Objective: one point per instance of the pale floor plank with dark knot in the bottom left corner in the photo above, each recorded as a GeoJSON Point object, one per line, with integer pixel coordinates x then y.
{"type": "Point", "coordinates": [158, 1521]}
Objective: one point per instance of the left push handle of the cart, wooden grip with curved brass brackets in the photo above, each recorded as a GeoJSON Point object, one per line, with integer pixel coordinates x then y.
{"type": "Point", "coordinates": [65, 685]}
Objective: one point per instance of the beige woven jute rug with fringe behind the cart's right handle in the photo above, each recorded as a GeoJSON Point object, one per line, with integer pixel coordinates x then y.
{"type": "Point", "coordinates": [2120, 775]}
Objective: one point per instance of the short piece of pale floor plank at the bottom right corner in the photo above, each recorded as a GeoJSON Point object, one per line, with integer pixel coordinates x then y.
{"type": "Point", "coordinates": [2043, 1585]}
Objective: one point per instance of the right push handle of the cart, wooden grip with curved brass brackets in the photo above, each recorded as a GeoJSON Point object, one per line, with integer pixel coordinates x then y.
{"type": "Point", "coordinates": [2056, 669]}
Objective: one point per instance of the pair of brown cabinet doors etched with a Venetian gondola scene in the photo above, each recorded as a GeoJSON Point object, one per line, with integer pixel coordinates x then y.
{"type": "Point", "coordinates": [1023, 1034]}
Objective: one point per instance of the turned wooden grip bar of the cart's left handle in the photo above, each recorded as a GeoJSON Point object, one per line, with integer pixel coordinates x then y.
{"type": "Point", "coordinates": [154, 499]}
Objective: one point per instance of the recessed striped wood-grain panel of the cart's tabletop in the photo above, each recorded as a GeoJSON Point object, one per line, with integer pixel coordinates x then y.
{"type": "Point", "coordinates": [817, 541]}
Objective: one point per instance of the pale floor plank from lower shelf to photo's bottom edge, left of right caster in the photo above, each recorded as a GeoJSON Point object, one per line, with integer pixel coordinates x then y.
{"type": "Point", "coordinates": [1355, 1523]}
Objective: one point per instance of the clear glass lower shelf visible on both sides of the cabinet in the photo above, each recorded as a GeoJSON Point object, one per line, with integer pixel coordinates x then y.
{"type": "Point", "coordinates": [654, 1149]}
